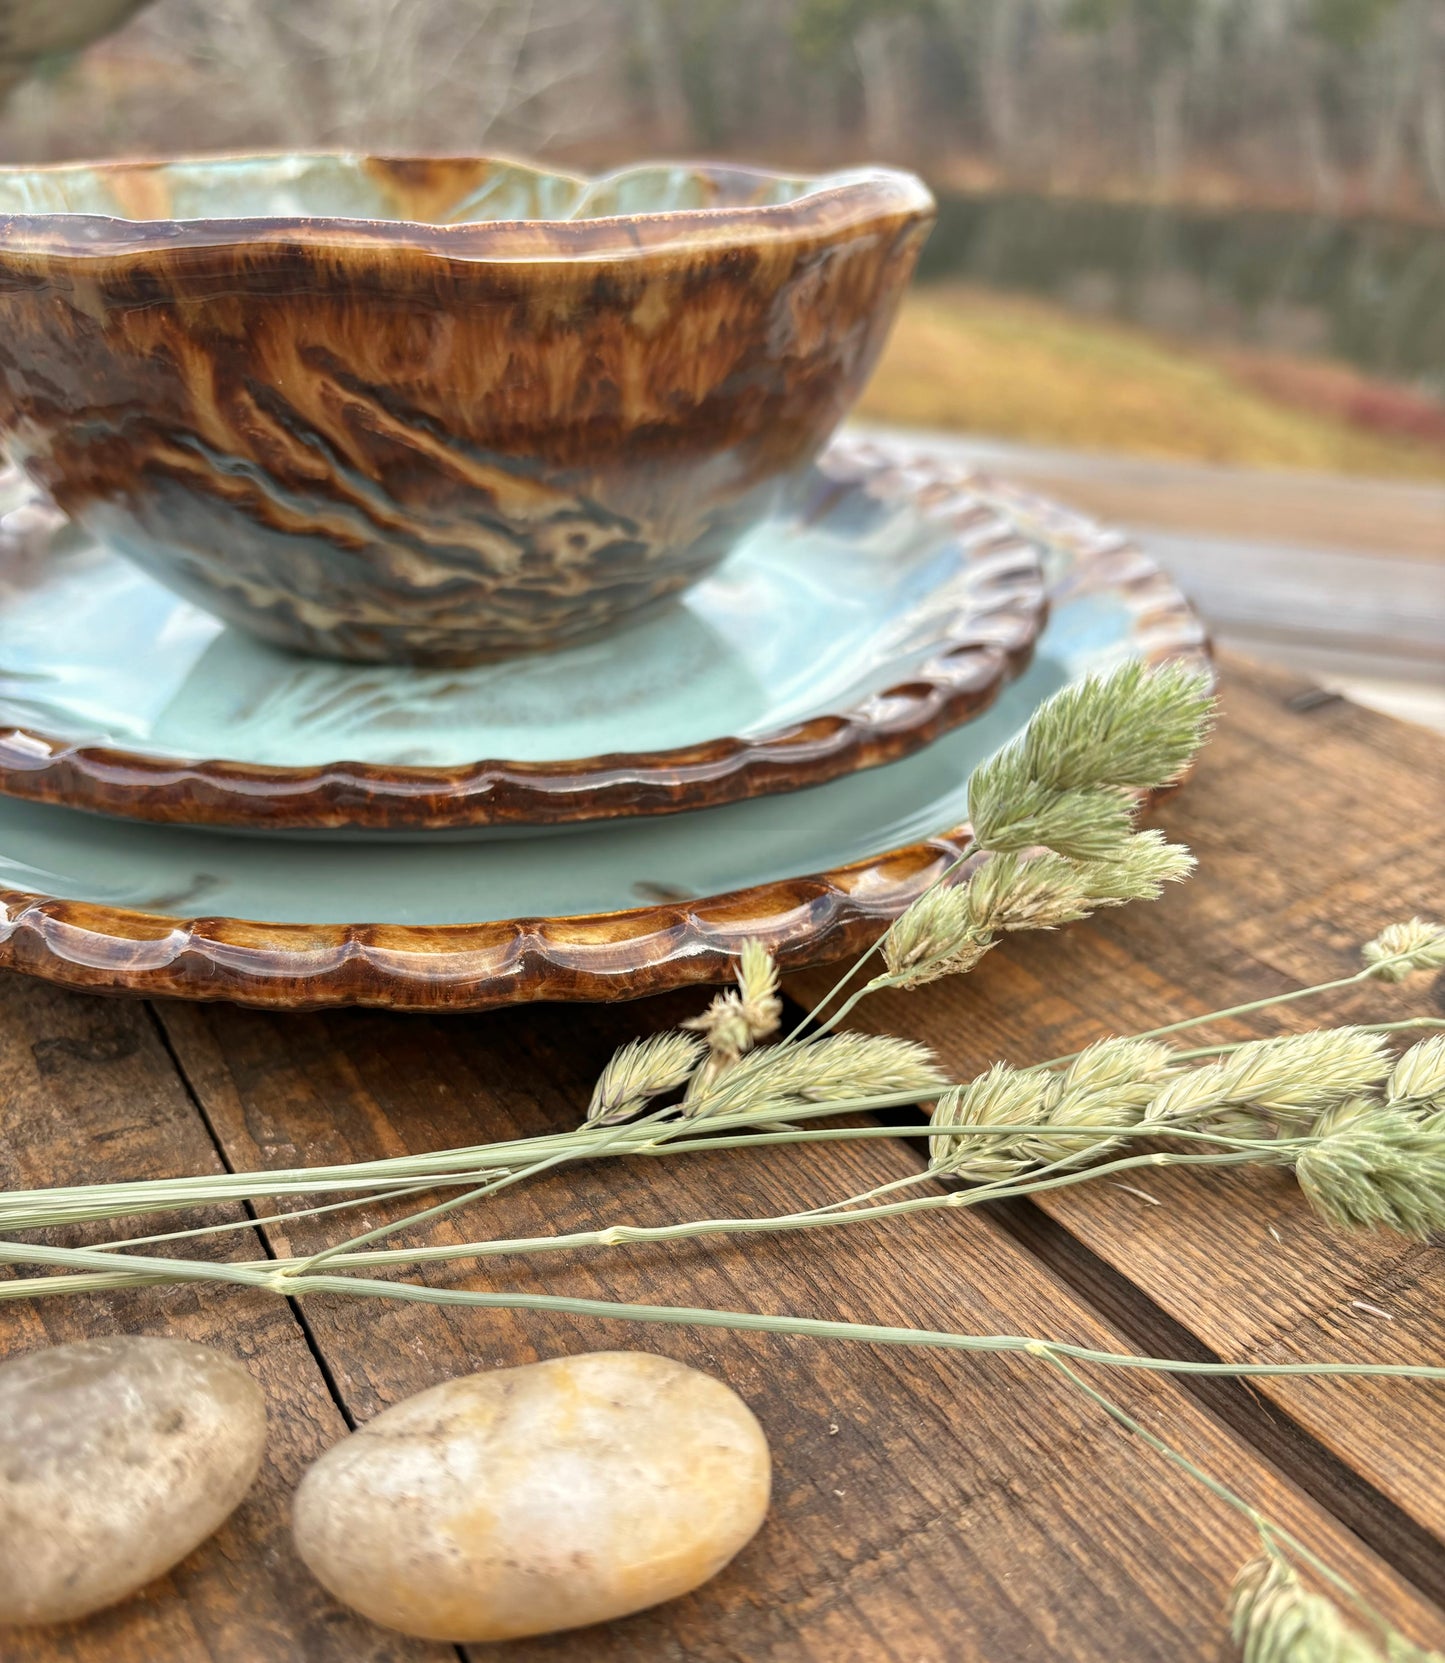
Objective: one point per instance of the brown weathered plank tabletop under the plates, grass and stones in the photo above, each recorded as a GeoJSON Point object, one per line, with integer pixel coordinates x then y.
{"type": "Point", "coordinates": [927, 1506]}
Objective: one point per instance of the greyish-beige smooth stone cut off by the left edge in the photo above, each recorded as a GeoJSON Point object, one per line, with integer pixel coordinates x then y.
{"type": "Point", "coordinates": [117, 1458]}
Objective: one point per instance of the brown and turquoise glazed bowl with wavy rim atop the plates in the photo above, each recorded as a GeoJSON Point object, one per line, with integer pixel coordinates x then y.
{"type": "Point", "coordinates": [435, 410]}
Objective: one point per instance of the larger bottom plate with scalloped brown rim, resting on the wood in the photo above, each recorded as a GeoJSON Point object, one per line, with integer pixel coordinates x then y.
{"type": "Point", "coordinates": [608, 912]}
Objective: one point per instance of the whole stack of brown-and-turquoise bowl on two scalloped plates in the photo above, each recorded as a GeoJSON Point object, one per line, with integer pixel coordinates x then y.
{"type": "Point", "coordinates": [430, 583]}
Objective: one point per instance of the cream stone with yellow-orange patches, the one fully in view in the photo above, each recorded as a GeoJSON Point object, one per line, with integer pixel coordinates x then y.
{"type": "Point", "coordinates": [536, 1499]}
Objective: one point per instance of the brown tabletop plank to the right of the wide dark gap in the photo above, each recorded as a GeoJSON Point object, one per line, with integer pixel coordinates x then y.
{"type": "Point", "coordinates": [1314, 829]}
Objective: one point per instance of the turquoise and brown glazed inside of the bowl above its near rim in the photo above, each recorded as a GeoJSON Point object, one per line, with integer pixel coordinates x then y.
{"type": "Point", "coordinates": [435, 190]}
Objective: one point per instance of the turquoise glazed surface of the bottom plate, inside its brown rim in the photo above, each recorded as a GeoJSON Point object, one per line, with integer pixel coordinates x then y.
{"type": "Point", "coordinates": [599, 869]}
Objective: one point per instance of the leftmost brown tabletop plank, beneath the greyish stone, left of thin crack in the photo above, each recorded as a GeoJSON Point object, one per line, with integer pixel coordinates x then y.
{"type": "Point", "coordinates": [91, 1095]}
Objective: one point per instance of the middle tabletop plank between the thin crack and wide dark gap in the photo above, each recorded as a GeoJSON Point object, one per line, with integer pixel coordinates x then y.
{"type": "Point", "coordinates": [927, 1508]}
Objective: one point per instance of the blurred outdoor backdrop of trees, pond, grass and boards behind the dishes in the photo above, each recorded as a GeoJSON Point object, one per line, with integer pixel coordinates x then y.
{"type": "Point", "coordinates": [1190, 269]}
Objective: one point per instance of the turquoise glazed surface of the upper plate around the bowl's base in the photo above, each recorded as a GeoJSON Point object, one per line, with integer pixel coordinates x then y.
{"type": "Point", "coordinates": [799, 623]}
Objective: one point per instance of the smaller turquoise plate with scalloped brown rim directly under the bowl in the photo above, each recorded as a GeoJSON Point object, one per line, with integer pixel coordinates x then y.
{"type": "Point", "coordinates": [884, 606]}
